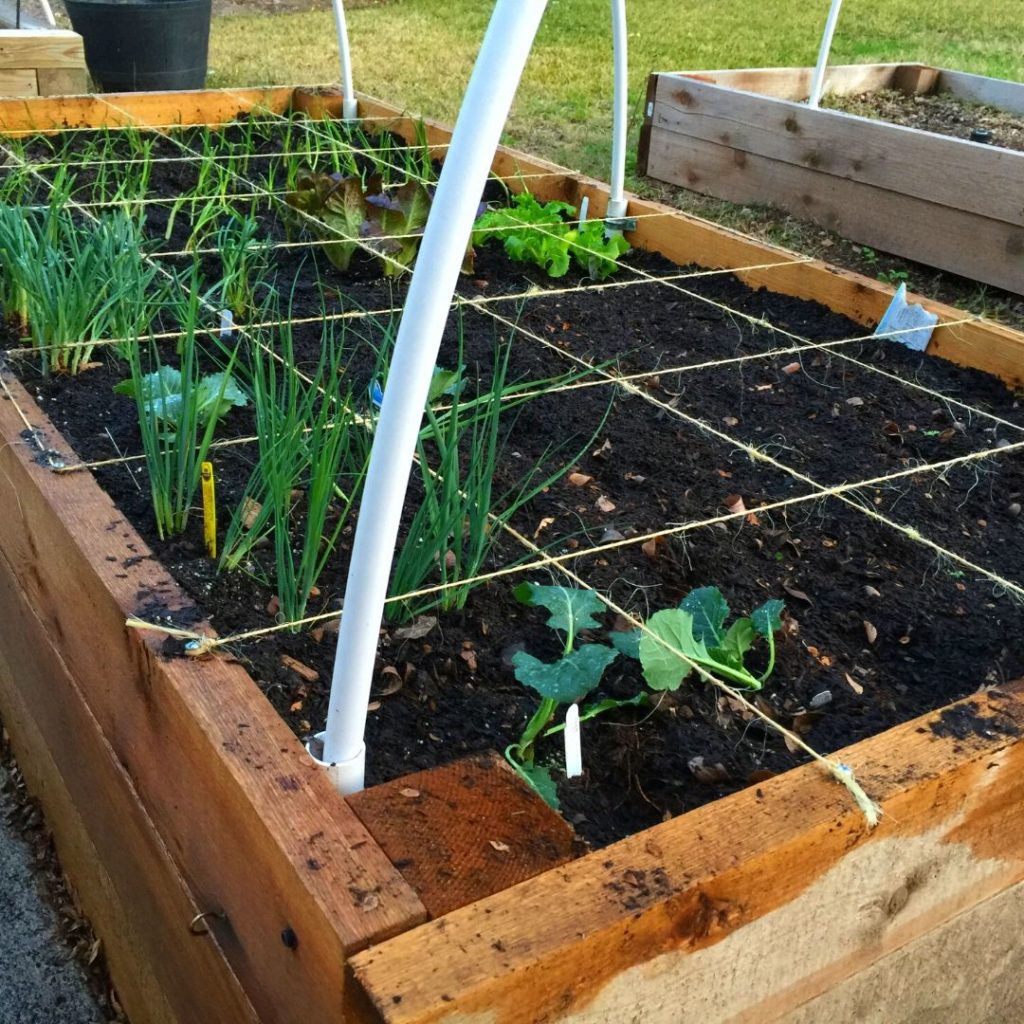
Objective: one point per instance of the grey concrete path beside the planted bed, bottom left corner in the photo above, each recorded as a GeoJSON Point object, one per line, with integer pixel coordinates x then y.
{"type": "Point", "coordinates": [39, 985]}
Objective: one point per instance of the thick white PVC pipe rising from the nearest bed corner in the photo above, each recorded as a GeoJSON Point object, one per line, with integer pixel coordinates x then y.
{"type": "Point", "coordinates": [492, 88]}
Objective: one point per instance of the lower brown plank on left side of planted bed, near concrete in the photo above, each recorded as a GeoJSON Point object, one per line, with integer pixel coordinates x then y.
{"type": "Point", "coordinates": [124, 876]}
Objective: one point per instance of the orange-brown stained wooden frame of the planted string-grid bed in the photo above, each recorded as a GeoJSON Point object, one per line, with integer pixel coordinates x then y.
{"type": "Point", "coordinates": [175, 790]}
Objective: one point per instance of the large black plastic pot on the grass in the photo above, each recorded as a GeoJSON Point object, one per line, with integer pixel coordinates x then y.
{"type": "Point", "coordinates": [138, 46]}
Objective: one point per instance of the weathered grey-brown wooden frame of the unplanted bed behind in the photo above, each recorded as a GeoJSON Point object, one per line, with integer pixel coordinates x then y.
{"type": "Point", "coordinates": [747, 137]}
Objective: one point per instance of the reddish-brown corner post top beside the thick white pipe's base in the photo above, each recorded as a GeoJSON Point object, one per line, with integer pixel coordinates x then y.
{"type": "Point", "coordinates": [464, 832]}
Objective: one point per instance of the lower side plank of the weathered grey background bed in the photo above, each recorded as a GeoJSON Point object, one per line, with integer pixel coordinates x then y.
{"type": "Point", "coordinates": [940, 236]}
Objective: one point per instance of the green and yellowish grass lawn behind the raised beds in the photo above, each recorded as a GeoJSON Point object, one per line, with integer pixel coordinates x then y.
{"type": "Point", "coordinates": [418, 54]}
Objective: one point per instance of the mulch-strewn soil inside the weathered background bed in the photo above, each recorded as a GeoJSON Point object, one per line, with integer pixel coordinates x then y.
{"type": "Point", "coordinates": [941, 112]}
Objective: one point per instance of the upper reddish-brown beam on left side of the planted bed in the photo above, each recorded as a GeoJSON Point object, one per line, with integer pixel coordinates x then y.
{"type": "Point", "coordinates": [217, 770]}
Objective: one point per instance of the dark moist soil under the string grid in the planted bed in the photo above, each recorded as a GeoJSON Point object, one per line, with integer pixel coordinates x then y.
{"type": "Point", "coordinates": [878, 628]}
